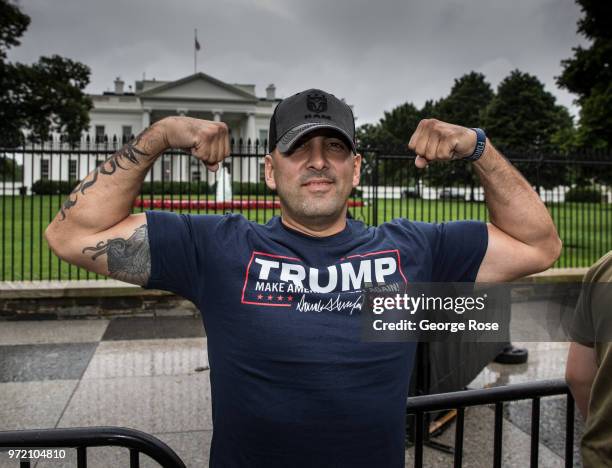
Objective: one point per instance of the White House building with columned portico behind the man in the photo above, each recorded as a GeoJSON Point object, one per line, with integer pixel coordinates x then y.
{"type": "Point", "coordinates": [121, 114]}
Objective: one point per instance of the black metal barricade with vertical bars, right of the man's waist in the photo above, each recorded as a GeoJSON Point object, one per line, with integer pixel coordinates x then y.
{"type": "Point", "coordinates": [534, 391]}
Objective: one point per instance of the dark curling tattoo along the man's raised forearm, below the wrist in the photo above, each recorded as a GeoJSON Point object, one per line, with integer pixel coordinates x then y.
{"type": "Point", "coordinates": [129, 152]}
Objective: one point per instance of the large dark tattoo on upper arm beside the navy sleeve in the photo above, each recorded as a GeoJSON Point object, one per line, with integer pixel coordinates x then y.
{"type": "Point", "coordinates": [128, 259]}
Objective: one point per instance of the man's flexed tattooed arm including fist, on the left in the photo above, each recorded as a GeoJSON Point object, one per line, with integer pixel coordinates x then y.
{"type": "Point", "coordinates": [94, 228]}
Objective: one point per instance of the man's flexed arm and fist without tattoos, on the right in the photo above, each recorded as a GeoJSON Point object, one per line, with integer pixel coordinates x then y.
{"type": "Point", "coordinates": [522, 236]}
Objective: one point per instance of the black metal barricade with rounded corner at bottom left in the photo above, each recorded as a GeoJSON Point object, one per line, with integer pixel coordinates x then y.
{"type": "Point", "coordinates": [29, 446]}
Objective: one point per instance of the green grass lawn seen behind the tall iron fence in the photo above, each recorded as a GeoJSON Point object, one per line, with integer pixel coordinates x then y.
{"type": "Point", "coordinates": [586, 230]}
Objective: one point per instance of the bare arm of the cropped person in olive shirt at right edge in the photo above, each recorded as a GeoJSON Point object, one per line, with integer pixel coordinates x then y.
{"type": "Point", "coordinates": [580, 372]}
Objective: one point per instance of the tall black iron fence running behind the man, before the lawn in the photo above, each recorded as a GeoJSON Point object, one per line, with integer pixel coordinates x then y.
{"type": "Point", "coordinates": [36, 179]}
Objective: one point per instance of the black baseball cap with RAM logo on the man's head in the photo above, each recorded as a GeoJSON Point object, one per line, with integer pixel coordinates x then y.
{"type": "Point", "coordinates": [306, 112]}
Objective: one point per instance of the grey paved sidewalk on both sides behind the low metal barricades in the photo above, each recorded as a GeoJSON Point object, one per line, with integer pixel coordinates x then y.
{"type": "Point", "coordinates": [151, 374]}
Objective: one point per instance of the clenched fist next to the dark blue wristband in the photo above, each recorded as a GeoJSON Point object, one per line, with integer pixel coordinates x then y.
{"type": "Point", "coordinates": [435, 140]}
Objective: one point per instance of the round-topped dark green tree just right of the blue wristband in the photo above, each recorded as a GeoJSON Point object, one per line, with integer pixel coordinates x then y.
{"type": "Point", "coordinates": [524, 118]}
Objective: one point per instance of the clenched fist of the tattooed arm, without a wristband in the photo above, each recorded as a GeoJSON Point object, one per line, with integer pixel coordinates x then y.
{"type": "Point", "coordinates": [206, 140]}
